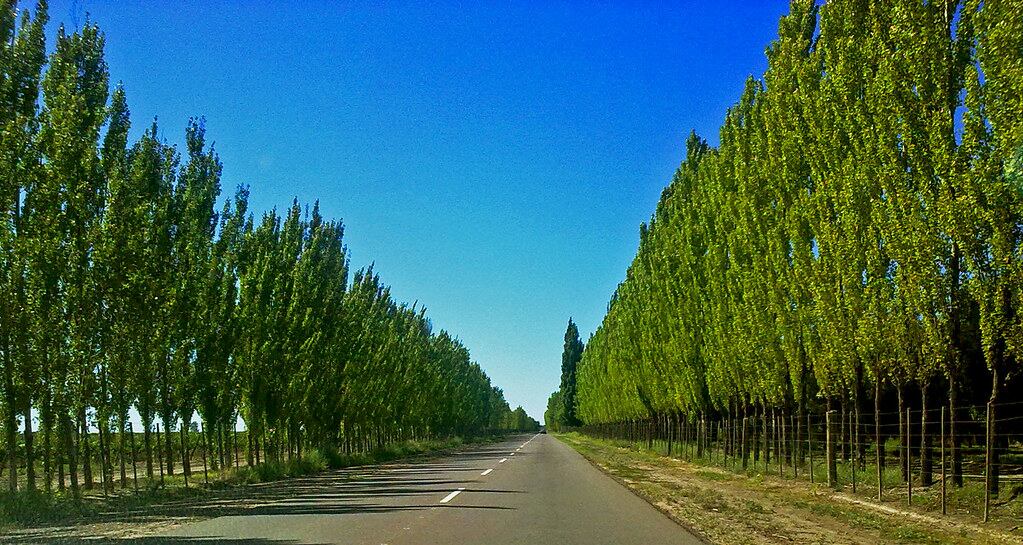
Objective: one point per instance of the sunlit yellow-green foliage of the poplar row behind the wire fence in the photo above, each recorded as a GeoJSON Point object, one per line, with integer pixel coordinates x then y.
{"type": "Point", "coordinates": [854, 241]}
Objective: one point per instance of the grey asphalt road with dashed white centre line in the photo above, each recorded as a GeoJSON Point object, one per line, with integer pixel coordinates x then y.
{"type": "Point", "coordinates": [528, 489]}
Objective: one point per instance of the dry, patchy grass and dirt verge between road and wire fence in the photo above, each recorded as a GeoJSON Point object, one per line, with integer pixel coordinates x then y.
{"type": "Point", "coordinates": [726, 508]}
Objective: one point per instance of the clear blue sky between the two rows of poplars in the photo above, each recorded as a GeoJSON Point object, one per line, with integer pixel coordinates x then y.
{"type": "Point", "coordinates": [494, 159]}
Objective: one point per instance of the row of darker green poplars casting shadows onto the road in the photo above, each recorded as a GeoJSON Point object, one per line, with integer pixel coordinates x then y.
{"type": "Point", "coordinates": [125, 285]}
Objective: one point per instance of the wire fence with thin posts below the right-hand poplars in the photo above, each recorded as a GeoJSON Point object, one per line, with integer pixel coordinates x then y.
{"type": "Point", "coordinates": [971, 465]}
